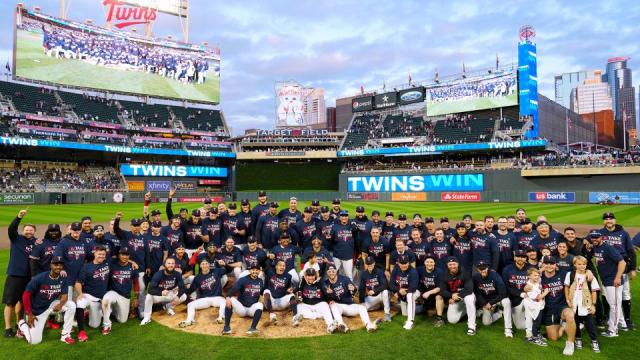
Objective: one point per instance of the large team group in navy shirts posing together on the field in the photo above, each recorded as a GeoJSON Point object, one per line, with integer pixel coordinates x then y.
{"type": "Point", "coordinates": [322, 263]}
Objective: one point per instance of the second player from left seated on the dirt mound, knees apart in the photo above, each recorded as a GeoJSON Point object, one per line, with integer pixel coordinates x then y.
{"type": "Point", "coordinates": [247, 303]}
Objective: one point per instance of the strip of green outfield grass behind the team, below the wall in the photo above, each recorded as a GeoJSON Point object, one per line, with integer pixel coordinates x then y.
{"type": "Point", "coordinates": [556, 213]}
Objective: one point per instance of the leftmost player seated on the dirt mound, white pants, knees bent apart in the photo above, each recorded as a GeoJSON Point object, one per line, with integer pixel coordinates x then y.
{"type": "Point", "coordinates": [208, 285]}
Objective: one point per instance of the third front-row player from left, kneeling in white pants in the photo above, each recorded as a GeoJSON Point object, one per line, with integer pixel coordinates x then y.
{"type": "Point", "coordinates": [122, 279]}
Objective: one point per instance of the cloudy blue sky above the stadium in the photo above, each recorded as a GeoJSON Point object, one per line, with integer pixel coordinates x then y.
{"type": "Point", "coordinates": [339, 45]}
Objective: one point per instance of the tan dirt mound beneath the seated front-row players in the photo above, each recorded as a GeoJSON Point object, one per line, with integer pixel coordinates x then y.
{"type": "Point", "coordinates": [206, 324]}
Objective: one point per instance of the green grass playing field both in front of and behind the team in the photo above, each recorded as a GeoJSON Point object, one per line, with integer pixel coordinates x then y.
{"type": "Point", "coordinates": [391, 341]}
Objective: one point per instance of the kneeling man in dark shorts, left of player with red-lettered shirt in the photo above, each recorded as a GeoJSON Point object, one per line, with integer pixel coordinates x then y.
{"type": "Point", "coordinates": [429, 289]}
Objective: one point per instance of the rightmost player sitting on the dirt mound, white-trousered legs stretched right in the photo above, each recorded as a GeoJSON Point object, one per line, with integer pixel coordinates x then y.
{"type": "Point", "coordinates": [340, 290]}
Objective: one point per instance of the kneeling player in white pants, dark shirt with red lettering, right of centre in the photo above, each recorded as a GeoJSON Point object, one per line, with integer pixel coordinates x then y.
{"type": "Point", "coordinates": [456, 289]}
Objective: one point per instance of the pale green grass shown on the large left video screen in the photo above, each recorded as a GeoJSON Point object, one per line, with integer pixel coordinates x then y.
{"type": "Point", "coordinates": [32, 63]}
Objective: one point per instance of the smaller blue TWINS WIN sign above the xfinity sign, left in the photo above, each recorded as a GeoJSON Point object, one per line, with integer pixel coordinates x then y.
{"type": "Point", "coordinates": [171, 170]}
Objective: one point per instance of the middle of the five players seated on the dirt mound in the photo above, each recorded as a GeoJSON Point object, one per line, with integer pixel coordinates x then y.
{"type": "Point", "coordinates": [279, 293]}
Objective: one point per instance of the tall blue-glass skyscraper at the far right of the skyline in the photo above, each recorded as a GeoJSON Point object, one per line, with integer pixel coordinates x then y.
{"type": "Point", "coordinates": [623, 94]}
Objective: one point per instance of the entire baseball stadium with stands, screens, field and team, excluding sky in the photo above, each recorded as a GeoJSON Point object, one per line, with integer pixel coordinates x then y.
{"type": "Point", "coordinates": [462, 215]}
